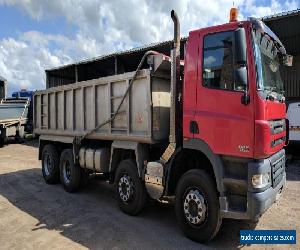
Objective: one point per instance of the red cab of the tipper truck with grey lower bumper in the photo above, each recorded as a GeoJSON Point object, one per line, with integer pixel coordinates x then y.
{"type": "Point", "coordinates": [237, 121]}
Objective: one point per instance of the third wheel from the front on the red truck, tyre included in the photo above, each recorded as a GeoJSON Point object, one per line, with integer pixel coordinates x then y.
{"type": "Point", "coordinates": [70, 173]}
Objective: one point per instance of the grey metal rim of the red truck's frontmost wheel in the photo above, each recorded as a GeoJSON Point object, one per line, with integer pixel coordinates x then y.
{"type": "Point", "coordinates": [194, 207]}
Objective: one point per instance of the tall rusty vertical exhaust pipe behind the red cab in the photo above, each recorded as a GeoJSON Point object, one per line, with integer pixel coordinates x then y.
{"type": "Point", "coordinates": [175, 77]}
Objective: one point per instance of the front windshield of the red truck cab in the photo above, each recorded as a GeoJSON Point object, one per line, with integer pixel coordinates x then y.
{"type": "Point", "coordinates": [267, 65]}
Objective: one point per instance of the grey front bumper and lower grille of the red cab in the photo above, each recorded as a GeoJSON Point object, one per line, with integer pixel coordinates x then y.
{"type": "Point", "coordinates": [259, 200]}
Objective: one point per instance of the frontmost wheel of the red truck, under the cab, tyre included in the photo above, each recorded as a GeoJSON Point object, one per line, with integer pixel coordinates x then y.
{"type": "Point", "coordinates": [197, 206]}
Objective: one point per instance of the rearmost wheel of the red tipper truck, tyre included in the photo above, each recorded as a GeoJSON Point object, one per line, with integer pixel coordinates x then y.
{"type": "Point", "coordinates": [50, 164]}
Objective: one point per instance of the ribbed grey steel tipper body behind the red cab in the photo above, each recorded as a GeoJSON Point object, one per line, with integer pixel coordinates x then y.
{"type": "Point", "coordinates": [75, 109]}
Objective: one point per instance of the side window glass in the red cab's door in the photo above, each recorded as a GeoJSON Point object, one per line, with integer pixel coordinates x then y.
{"type": "Point", "coordinates": [218, 61]}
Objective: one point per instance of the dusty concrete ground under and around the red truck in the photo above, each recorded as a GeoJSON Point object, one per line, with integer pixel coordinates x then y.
{"type": "Point", "coordinates": [34, 215]}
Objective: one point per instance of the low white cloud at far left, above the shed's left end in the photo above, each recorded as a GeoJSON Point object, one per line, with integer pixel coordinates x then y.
{"type": "Point", "coordinates": [23, 66]}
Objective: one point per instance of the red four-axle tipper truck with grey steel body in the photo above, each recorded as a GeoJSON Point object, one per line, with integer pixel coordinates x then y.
{"type": "Point", "coordinates": [208, 130]}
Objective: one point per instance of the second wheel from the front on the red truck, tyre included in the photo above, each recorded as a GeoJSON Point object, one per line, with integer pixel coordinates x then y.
{"type": "Point", "coordinates": [129, 188]}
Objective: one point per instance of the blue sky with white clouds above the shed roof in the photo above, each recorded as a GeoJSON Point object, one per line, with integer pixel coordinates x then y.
{"type": "Point", "coordinates": [38, 34]}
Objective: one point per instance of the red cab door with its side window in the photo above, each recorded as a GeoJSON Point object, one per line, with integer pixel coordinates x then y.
{"type": "Point", "coordinates": [224, 122]}
